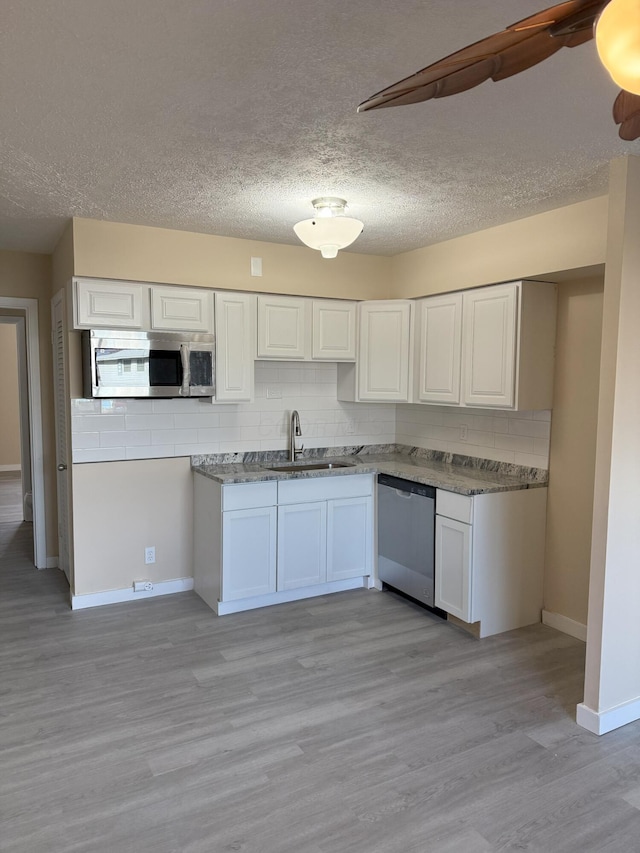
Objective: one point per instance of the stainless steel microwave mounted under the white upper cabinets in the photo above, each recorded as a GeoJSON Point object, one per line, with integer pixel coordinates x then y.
{"type": "Point", "coordinates": [120, 363]}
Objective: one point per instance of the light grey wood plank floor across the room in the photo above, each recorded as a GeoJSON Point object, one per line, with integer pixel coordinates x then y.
{"type": "Point", "coordinates": [355, 723]}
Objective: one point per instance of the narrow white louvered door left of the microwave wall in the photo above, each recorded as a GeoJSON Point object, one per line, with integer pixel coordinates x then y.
{"type": "Point", "coordinates": [61, 402]}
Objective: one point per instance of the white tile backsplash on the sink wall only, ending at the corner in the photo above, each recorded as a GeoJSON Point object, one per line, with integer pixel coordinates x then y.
{"type": "Point", "coordinates": [107, 430]}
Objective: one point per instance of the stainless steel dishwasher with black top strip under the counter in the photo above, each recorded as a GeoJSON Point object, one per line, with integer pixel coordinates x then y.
{"type": "Point", "coordinates": [406, 538]}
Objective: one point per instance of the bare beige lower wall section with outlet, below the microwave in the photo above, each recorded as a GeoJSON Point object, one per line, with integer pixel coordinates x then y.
{"type": "Point", "coordinates": [119, 509]}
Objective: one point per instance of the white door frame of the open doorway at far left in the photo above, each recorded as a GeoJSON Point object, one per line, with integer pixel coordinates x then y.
{"type": "Point", "coordinates": [30, 307]}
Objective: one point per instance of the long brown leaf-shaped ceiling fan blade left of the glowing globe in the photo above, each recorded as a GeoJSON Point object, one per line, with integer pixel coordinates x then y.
{"type": "Point", "coordinates": [508, 50]}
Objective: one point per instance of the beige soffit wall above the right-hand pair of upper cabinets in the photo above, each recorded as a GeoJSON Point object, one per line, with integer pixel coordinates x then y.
{"type": "Point", "coordinates": [568, 238]}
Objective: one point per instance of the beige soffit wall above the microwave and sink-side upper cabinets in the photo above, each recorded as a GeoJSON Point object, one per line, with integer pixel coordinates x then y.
{"type": "Point", "coordinates": [140, 253]}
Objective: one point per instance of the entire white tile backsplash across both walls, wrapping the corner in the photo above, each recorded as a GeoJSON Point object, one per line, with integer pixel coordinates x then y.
{"type": "Point", "coordinates": [108, 430]}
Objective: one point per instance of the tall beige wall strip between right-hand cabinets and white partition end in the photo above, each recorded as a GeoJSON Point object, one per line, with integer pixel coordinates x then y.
{"type": "Point", "coordinates": [572, 448]}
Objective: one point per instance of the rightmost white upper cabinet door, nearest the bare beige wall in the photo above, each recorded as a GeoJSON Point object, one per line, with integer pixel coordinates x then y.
{"type": "Point", "coordinates": [489, 344]}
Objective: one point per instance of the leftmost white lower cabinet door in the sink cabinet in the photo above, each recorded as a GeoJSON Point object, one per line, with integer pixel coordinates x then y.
{"type": "Point", "coordinates": [248, 552]}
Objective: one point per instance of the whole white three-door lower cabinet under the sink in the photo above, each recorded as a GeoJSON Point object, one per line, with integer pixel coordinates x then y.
{"type": "Point", "coordinates": [257, 544]}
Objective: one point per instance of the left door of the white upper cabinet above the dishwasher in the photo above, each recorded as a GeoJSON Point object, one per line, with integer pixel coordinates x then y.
{"type": "Point", "coordinates": [440, 344]}
